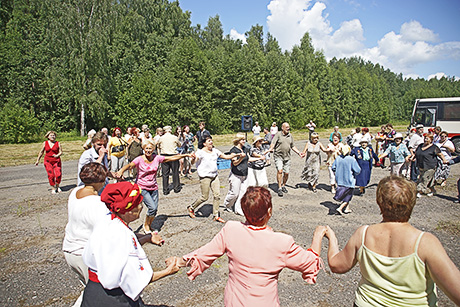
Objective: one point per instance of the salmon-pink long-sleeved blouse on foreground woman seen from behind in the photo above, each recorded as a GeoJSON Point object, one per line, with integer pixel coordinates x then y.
{"type": "Point", "coordinates": [256, 256]}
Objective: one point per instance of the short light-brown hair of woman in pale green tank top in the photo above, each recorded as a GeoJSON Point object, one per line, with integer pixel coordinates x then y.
{"type": "Point", "coordinates": [396, 198]}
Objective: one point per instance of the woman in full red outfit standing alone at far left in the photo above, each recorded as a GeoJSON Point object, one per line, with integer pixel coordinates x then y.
{"type": "Point", "coordinates": [52, 160]}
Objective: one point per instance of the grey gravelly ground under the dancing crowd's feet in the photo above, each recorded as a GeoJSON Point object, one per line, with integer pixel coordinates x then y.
{"type": "Point", "coordinates": [33, 271]}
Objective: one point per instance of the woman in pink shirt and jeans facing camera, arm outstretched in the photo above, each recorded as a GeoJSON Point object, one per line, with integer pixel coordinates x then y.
{"type": "Point", "coordinates": [147, 168]}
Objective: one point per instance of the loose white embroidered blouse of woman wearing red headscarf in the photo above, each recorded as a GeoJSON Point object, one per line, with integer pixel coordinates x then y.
{"type": "Point", "coordinates": [116, 256]}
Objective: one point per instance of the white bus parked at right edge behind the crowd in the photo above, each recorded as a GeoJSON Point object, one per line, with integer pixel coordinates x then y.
{"type": "Point", "coordinates": [443, 112]}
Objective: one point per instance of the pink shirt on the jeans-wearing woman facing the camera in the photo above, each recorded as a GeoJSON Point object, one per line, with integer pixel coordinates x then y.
{"type": "Point", "coordinates": [147, 172]}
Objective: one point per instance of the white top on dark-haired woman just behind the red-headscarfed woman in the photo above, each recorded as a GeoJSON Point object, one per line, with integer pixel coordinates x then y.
{"type": "Point", "coordinates": [83, 215]}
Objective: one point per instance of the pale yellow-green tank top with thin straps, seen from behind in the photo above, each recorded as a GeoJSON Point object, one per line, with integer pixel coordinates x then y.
{"type": "Point", "coordinates": [393, 281]}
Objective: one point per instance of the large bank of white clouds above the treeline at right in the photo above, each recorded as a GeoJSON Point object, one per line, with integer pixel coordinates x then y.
{"type": "Point", "coordinates": [401, 52]}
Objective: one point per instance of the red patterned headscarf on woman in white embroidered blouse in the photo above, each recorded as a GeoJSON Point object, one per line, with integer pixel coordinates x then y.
{"type": "Point", "coordinates": [121, 197]}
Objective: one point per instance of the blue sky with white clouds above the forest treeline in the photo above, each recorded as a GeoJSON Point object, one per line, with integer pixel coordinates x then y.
{"type": "Point", "coordinates": [418, 38]}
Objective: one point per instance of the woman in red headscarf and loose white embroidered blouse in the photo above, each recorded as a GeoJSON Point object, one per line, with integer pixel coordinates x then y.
{"type": "Point", "coordinates": [117, 265]}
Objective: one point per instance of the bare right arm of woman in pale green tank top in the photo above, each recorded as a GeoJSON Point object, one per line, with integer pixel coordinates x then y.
{"type": "Point", "coordinates": [443, 271]}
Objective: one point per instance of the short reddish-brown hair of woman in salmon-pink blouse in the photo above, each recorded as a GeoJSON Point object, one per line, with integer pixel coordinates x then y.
{"type": "Point", "coordinates": [255, 204]}
